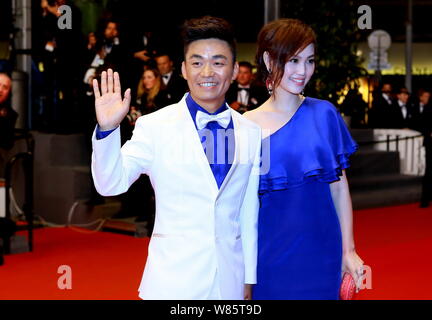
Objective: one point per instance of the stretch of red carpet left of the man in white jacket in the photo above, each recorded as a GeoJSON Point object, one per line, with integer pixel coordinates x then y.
{"type": "Point", "coordinates": [104, 266]}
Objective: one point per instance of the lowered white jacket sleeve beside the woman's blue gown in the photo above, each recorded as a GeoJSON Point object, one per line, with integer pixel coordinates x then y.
{"type": "Point", "coordinates": [249, 220]}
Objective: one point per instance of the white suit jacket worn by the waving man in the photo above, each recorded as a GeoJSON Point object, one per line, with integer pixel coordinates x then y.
{"type": "Point", "coordinates": [199, 230]}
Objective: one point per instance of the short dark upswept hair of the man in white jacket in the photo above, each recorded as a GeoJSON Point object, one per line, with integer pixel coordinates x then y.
{"type": "Point", "coordinates": [208, 27]}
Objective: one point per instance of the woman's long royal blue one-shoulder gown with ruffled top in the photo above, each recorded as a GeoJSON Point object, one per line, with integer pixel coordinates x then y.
{"type": "Point", "coordinates": [299, 235]}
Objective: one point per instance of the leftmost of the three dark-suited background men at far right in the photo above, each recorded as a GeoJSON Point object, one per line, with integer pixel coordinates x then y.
{"type": "Point", "coordinates": [381, 107]}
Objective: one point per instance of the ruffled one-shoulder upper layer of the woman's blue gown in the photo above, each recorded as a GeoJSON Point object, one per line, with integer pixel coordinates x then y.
{"type": "Point", "coordinates": [314, 145]}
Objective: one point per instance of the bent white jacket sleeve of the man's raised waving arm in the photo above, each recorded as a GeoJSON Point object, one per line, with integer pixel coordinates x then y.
{"type": "Point", "coordinates": [114, 169]}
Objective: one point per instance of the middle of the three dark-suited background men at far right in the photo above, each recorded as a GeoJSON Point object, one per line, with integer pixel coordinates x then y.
{"type": "Point", "coordinates": [402, 111]}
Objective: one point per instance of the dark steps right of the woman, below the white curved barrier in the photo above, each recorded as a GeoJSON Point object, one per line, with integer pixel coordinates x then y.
{"type": "Point", "coordinates": [374, 176]}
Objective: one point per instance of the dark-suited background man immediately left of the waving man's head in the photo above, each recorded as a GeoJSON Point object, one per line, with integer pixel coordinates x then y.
{"type": "Point", "coordinates": [173, 82]}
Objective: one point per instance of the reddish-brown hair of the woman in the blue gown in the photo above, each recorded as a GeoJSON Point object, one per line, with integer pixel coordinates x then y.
{"type": "Point", "coordinates": [282, 39]}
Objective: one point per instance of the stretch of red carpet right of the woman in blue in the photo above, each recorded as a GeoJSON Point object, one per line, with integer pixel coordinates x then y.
{"type": "Point", "coordinates": [396, 242]}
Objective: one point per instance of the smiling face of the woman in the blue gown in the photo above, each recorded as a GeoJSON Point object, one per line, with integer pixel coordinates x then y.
{"type": "Point", "coordinates": [298, 70]}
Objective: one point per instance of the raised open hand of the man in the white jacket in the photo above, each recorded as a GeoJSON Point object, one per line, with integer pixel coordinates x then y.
{"type": "Point", "coordinates": [110, 108]}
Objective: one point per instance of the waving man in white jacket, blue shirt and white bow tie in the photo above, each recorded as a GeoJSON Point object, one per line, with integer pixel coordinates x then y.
{"type": "Point", "coordinates": [203, 161]}
